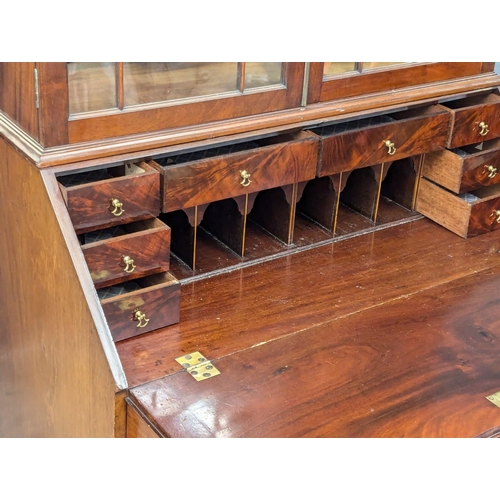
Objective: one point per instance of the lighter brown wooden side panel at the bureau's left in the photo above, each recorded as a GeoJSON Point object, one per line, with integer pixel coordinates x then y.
{"type": "Point", "coordinates": [55, 379]}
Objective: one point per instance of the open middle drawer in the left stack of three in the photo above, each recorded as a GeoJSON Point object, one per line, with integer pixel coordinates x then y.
{"type": "Point", "coordinates": [127, 252]}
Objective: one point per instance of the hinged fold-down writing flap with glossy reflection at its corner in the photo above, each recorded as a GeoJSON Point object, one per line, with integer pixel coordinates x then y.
{"type": "Point", "coordinates": [419, 366]}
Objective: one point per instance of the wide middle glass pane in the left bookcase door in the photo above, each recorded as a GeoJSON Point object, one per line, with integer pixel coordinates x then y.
{"type": "Point", "coordinates": [156, 82]}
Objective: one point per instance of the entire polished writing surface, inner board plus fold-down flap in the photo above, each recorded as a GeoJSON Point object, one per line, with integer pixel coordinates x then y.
{"type": "Point", "coordinates": [382, 345]}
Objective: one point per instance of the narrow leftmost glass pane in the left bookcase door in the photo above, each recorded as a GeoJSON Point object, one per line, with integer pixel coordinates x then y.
{"type": "Point", "coordinates": [91, 87]}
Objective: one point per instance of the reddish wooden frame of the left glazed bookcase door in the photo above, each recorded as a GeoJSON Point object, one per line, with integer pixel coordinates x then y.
{"type": "Point", "coordinates": [75, 129]}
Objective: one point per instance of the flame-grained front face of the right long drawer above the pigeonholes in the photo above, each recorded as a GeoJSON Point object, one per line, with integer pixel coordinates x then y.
{"type": "Point", "coordinates": [362, 148]}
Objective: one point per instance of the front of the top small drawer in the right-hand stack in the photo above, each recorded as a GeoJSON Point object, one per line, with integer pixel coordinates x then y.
{"type": "Point", "coordinates": [476, 124]}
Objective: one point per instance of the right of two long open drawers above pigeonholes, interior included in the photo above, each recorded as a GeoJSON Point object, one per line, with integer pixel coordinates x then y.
{"type": "Point", "coordinates": [380, 139]}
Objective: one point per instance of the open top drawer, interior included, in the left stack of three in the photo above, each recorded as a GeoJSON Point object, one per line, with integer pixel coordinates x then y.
{"type": "Point", "coordinates": [110, 196]}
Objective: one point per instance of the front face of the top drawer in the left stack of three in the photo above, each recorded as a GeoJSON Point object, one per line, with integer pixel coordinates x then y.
{"type": "Point", "coordinates": [90, 206]}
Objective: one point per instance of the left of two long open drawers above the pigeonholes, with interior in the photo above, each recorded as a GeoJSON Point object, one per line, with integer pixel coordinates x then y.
{"type": "Point", "coordinates": [196, 178]}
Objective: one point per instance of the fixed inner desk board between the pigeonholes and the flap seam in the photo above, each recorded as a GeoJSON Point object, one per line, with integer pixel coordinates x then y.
{"type": "Point", "coordinates": [232, 312]}
